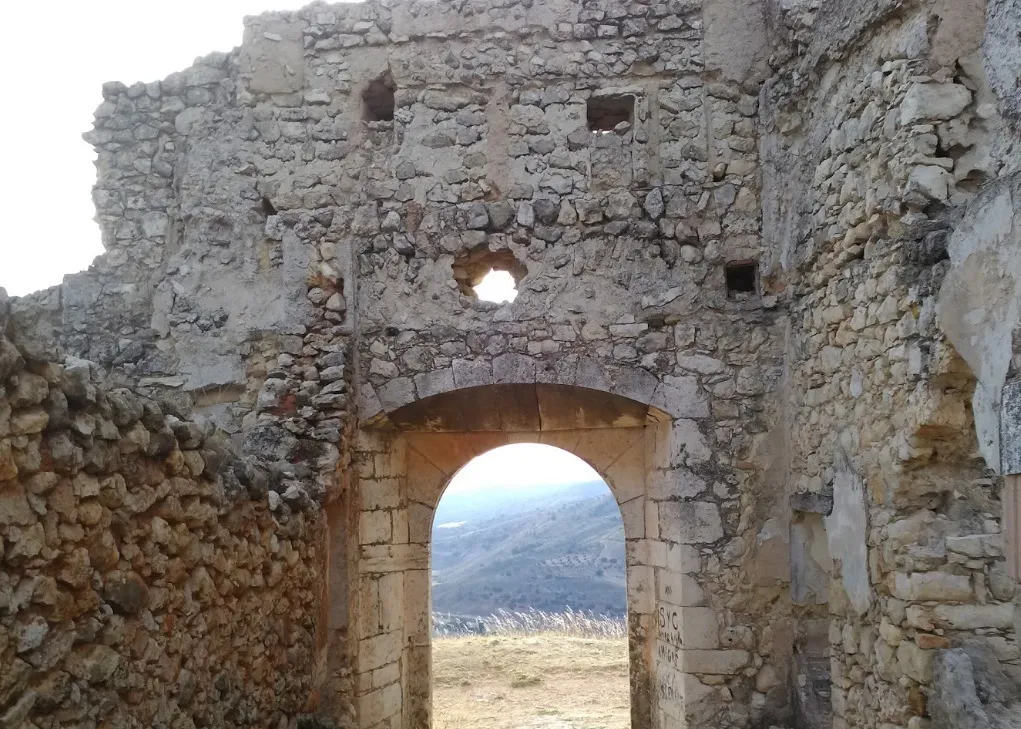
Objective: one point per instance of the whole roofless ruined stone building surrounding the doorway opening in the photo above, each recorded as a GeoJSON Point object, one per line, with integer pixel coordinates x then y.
{"type": "Point", "coordinates": [769, 263]}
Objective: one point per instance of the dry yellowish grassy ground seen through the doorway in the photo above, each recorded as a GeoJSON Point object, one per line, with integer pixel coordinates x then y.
{"type": "Point", "coordinates": [530, 683]}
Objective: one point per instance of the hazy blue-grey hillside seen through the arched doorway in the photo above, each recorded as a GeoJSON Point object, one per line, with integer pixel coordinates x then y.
{"type": "Point", "coordinates": [562, 549]}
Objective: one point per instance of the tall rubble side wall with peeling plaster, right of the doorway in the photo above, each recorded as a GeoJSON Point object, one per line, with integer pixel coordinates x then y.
{"type": "Point", "coordinates": [895, 414]}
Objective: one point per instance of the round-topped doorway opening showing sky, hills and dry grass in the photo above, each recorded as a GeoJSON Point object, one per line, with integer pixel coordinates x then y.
{"type": "Point", "coordinates": [528, 595]}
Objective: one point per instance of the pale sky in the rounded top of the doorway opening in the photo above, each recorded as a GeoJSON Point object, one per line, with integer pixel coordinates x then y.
{"type": "Point", "coordinates": [522, 466]}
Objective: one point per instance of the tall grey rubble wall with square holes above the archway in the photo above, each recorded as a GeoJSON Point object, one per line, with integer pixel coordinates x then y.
{"type": "Point", "coordinates": [275, 259]}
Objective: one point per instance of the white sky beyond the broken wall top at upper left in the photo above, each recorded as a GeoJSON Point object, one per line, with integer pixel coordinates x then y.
{"type": "Point", "coordinates": [56, 60]}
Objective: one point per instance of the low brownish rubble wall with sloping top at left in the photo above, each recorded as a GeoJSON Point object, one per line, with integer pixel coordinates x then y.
{"type": "Point", "coordinates": [141, 584]}
